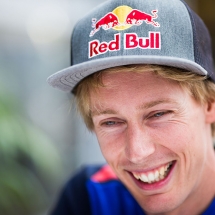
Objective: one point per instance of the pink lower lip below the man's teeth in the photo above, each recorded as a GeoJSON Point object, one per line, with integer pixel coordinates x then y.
{"type": "Point", "coordinates": [156, 185]}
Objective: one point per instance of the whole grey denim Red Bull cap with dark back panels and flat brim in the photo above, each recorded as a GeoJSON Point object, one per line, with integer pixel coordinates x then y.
{"type": "Point", "coordinates": [123, 32]}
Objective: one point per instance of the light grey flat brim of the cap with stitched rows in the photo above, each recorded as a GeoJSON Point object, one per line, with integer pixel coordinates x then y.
{"type": "Point", "coordinates": [68, 78]}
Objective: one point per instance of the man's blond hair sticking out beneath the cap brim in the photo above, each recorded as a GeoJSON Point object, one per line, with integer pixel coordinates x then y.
{"type": "Point", "coordinates": [199, 87]}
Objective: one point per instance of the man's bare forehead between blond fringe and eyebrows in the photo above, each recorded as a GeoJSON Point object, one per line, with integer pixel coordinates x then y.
{"type": "Point", "coordinates": [132, 88]}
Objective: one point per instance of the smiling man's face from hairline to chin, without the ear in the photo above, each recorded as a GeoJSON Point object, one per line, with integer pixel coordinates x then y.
{"type": "Point", "coordinates": [154, 136]}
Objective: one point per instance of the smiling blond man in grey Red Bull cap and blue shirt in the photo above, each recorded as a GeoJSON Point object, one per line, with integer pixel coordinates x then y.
{"type": "Point", "coordinates": [143, 78]}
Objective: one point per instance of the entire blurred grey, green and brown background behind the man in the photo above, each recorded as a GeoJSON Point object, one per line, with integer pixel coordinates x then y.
{"type": "Point", "coordinates": [42, 139]}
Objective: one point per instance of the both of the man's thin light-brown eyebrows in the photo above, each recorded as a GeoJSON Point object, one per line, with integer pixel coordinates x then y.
{"type": "Point", "coordinates": [148, 105]}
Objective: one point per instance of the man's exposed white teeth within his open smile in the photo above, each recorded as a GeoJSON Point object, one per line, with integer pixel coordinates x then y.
{"type": "Point", "coordinates": [154, 176]}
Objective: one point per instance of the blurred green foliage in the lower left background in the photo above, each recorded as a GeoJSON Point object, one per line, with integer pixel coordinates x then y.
{"type": "Point", "coordinates": [29, 164]}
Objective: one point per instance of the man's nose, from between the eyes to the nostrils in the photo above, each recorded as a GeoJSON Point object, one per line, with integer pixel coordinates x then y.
{"type": "Point", "coordinates": [139, 144]}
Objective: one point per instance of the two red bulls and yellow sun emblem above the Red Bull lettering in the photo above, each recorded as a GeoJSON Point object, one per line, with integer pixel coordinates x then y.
{"type": "Point", "coordinates": [124, 17]}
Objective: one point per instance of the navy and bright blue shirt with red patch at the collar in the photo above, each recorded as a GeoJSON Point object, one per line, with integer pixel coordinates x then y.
{"type": "Point", "coordinates": [95, 190]}
